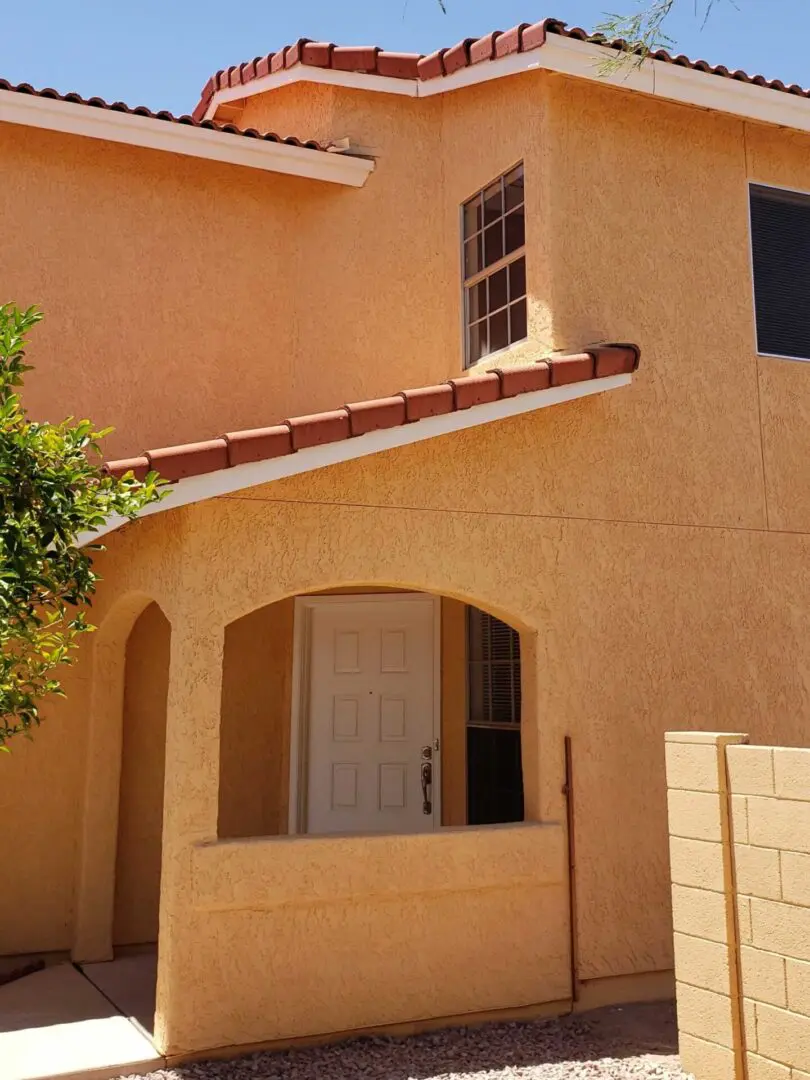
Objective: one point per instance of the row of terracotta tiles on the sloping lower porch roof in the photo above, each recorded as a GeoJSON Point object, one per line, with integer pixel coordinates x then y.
{"type": "Point", "coordinates": [361, 418]}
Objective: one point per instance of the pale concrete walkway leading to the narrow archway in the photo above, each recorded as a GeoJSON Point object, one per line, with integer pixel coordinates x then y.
{"type": "Point", "coordinates": [57, 1024]}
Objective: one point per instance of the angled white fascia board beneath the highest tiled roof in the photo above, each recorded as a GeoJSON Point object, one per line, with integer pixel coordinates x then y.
{"type": "Point", "coordinates": [583, 60]}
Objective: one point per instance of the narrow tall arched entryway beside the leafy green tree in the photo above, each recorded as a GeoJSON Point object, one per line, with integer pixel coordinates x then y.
{"type": "Point", "coordinates": [119, 890]}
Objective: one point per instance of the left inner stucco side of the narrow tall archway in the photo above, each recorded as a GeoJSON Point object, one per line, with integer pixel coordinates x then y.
{"type": "Point", "coordinates": [99, 838]}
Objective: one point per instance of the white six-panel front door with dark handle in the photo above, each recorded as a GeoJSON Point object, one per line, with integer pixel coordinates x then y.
{"type": "Point", "coordinates": [370, 704]}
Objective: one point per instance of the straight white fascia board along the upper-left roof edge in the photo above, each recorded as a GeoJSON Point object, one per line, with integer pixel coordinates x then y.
{"type": "Point", "coordinates": [88, 120]}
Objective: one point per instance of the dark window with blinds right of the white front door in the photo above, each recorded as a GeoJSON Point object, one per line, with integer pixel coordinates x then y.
{"type": "Point", "coordinates": [494, 766]}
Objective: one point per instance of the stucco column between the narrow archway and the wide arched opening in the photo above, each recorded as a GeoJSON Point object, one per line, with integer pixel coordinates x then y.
{"type": "Point", "coordinates": [190, 809]}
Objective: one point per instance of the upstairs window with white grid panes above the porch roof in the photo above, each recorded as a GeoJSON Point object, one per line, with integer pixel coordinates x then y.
{"type": "Point", "coordinates": [494, 238]}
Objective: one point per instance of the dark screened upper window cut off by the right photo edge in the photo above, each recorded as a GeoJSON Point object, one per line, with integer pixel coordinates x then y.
{"type": "Point", "coordinates": [780, 242]}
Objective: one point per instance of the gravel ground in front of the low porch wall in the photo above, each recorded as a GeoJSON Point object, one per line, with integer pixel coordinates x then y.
{"type": "Point", "coordinates": [637, 1042]}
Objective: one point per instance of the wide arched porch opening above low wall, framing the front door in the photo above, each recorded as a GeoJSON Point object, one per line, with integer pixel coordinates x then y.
{"type": "Point", "coordinates": [370, 710]}
